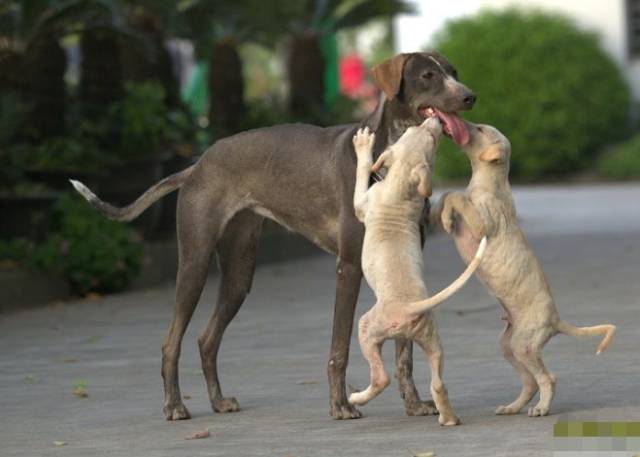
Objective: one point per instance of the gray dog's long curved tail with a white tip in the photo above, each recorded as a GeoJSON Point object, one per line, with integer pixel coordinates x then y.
{"type": "Point", "coordinates": [130, 212]}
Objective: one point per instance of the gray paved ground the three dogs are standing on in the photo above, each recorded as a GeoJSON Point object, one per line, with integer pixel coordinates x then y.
{"type": "Point", "coordinates": [274, 355]}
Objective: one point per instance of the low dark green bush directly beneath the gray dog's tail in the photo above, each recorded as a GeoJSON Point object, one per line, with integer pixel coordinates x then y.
{"type": "Point", "coordinates": [95, 254]}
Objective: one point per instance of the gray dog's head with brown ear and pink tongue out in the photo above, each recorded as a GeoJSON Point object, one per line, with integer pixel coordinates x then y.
{"type": "Point", "coordinates": [425, 84]}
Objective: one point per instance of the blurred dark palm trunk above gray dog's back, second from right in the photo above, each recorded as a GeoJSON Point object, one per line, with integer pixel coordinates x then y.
{"type": "Point", "coordinates": [226, 89]}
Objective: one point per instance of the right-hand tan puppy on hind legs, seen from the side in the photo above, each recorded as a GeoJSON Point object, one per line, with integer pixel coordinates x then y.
{"type": "Point", "coordinates": [509, 269]}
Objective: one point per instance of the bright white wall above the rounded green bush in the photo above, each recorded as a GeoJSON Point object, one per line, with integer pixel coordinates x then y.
{"type": "Point", "coordinates": [606, 17]}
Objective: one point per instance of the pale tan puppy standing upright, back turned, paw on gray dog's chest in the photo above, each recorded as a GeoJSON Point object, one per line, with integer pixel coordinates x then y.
{"type": "Point", "coordinates": [392, 255]}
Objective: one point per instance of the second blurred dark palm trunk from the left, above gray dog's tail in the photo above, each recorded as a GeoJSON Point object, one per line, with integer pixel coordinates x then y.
{"type": "Point", "coordinates": [101, 77]}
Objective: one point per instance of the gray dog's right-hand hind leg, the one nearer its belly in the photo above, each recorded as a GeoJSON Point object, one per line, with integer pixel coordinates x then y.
{"type": "Point", "coordinates": [237, 260]}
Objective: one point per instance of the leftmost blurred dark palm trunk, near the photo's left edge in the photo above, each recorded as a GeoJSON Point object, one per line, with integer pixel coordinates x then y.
{"type": "Point", "coordinates": [45, 90]}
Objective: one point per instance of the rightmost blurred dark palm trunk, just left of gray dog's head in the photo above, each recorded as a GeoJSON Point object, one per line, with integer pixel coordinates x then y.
{"type": "Point", "coordinates": [305, 68]}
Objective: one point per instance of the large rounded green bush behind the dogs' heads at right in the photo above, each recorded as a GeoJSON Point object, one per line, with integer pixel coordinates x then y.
{"type": "Point", "coordinates": [543, 82]}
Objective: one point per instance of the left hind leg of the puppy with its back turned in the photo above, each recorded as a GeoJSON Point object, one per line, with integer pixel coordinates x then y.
{"type": "Point", "coordinates": [371, 347]}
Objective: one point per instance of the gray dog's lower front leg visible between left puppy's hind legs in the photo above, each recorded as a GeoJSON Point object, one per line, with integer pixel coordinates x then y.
{"type": "Point", "coordinates": [404, 372]}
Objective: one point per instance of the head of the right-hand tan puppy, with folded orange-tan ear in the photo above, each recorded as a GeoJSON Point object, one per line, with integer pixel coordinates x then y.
{"type": "Point", "coordinates": [488, 147]}
